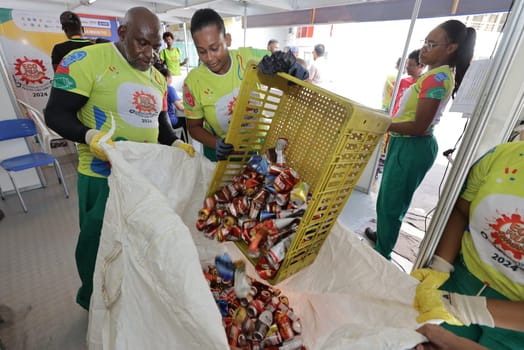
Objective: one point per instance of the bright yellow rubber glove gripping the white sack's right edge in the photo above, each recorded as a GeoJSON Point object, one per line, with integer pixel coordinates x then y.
{"type": "Point", "coordinates": [428, 299]}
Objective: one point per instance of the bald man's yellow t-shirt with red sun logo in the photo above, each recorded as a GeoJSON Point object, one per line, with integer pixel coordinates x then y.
{"type": "Point", "coordinates": [114, 87]}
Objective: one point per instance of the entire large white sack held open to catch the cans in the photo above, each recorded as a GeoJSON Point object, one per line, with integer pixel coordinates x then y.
{"type": "Point", "coordinates": [150, 293]}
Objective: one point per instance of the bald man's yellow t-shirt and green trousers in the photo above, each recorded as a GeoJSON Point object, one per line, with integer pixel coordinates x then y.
{"type": "Point", "coordinates": [115, 91]}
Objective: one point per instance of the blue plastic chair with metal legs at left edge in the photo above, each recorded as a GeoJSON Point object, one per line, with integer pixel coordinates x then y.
{"type": "Point", "coordinates": [22, 128]}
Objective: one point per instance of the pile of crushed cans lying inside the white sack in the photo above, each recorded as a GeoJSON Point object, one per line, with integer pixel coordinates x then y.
{"type": "Point", "coordinates": [260, 317]}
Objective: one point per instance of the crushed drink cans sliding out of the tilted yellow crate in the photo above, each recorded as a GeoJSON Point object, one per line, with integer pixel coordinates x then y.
{"type": "Point", "coordinates": [262, 206]}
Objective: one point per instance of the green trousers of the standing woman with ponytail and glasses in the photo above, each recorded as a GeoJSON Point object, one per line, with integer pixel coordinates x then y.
{"type": "Point", "coordinates": [408, 160]}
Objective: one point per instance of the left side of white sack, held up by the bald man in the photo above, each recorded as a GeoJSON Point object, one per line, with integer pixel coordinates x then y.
{"type": "Point", "coordinates": [160, 299]}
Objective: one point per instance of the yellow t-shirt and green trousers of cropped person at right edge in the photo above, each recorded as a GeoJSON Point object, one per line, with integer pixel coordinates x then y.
{"type": "Point", "coordinates": [492, 249]}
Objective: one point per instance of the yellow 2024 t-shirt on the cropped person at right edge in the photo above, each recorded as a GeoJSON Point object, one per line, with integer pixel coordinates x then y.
{"type": "Point", "coordinates": [493, 244]}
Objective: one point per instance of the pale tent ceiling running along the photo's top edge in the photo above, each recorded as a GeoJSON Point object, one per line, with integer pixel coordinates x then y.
{"type": "Point", "coordinates": [263, 13]}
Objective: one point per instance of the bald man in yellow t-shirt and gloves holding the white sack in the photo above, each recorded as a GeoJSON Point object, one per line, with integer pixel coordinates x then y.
{"type": "Point", "coordinates": [97, 87]}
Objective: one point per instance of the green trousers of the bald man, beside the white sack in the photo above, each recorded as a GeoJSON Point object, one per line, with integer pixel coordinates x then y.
{"type": "Point", "coordinates": [92, 198]}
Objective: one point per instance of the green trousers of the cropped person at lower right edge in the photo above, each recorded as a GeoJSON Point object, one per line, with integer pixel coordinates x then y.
{"type": "Point", "coordinates": [463, 282]}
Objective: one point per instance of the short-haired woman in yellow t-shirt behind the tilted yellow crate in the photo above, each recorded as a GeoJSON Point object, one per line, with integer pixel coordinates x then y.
{"type": "Point", "coordinates": [210, 90]}
